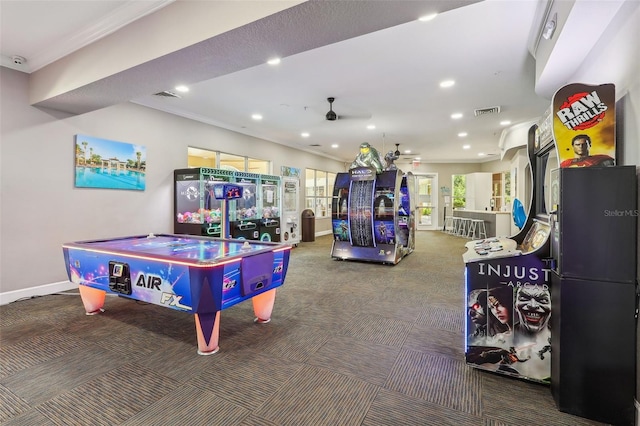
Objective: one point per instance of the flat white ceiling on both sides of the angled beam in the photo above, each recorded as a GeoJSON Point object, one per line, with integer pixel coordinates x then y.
{"type": "Point", "coordinates": [389, 77]}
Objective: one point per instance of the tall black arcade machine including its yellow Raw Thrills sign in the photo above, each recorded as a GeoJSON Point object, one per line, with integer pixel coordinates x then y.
{"type": "Point", "coordinates": [594, 268]}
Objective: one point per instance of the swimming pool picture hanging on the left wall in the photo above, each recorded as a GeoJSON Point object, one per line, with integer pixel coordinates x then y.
{"type": "Point", "coordinates": [103, 163]}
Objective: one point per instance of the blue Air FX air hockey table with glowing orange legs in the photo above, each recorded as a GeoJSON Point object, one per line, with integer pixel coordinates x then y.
{"type": "Point", "coordinates": [198, 275]}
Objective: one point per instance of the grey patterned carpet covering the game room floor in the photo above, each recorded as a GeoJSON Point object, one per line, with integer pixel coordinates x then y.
{"type": "Point", "coordinates": [350, 343]}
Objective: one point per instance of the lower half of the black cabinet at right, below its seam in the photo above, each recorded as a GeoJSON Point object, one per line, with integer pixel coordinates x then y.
{"type": "Point", "coordinates": [593, 342]}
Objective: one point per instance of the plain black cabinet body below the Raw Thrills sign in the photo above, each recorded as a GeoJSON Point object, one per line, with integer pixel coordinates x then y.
{"type": "Point", "coordinates": [595, 294]}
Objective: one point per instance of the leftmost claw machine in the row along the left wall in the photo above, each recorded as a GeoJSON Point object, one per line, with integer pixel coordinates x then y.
{"type": "Point", "coordinates": [196, 210]}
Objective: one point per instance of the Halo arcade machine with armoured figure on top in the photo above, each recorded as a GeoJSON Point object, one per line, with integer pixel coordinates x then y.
{"type": "Point", "coordinates": [373, 211]}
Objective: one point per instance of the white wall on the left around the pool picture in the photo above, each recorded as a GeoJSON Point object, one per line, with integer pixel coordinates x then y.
{"type": "Point", "coordinates": [40, 207]}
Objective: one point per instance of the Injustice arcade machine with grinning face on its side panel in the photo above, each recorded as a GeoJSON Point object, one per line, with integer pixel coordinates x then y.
{"type": "Point", "coordinates": [508, 291]}
